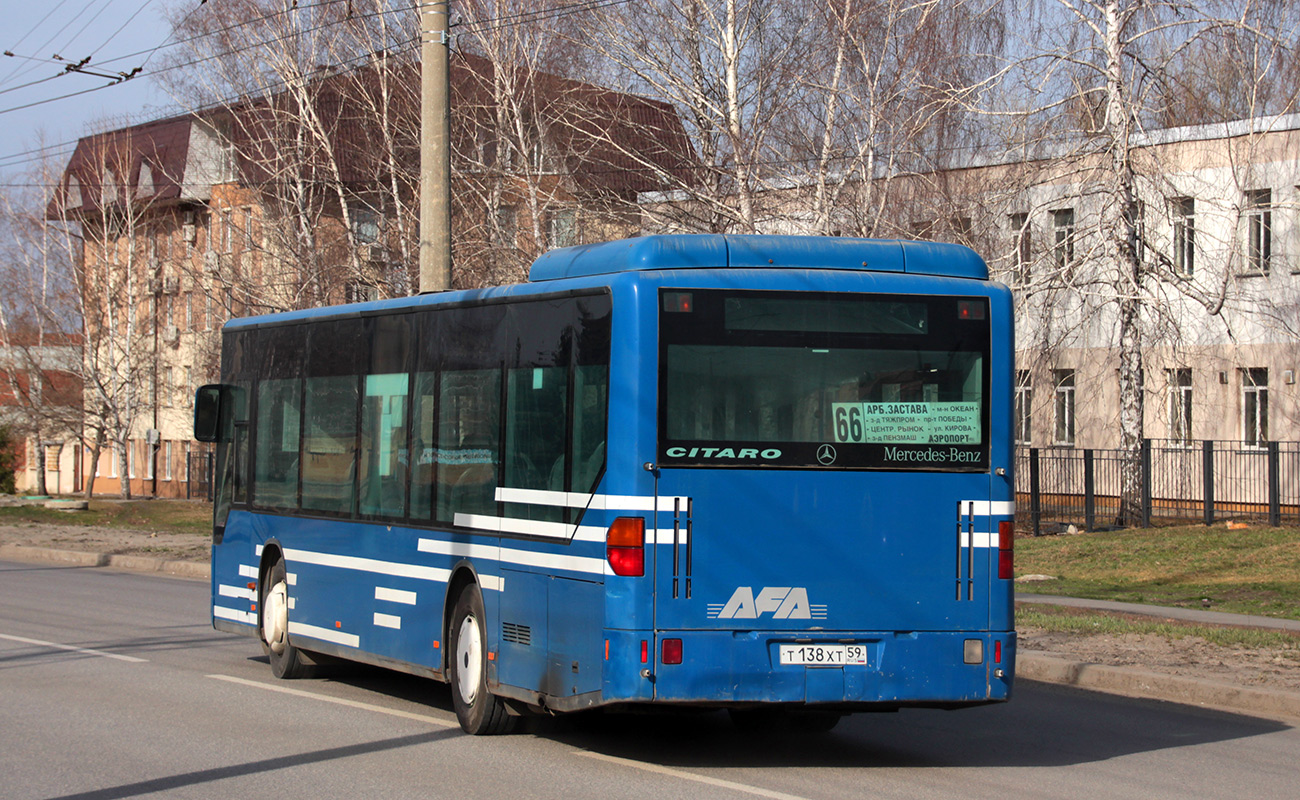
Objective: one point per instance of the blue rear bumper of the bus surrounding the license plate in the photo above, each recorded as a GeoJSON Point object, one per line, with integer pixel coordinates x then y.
{"type": "Point", "coordinates": [725, 668]}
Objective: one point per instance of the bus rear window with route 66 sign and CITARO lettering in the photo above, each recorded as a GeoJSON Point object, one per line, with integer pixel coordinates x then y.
{"type": "Point", "coordinates": [842, 382]}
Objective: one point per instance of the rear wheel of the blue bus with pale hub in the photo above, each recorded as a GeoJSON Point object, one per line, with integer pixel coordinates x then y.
{"type": "Point", "coordinates": [479, 711]}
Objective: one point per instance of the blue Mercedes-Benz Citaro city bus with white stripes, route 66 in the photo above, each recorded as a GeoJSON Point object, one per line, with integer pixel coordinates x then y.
{"type": "Point", "coordinates": [751, 473]}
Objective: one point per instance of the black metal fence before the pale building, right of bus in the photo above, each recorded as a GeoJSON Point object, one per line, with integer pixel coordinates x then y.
{"type": "Point", "coordinates": [1182, 483]}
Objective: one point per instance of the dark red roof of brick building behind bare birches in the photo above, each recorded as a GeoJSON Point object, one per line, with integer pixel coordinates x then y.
{"type": "Point", "coordinates": [596, 132]}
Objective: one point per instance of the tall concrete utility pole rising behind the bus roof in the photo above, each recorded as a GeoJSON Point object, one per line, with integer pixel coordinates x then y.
{"type": "Point", "coordinates": [435, 148]}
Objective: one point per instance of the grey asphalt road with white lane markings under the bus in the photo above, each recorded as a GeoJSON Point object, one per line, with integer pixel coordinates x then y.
{"type": "Point", "coordinates": [114, 685]}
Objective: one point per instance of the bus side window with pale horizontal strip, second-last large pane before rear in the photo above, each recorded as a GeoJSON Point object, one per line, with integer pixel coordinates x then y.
{"type": "Point", "coordinates": [469, 446]}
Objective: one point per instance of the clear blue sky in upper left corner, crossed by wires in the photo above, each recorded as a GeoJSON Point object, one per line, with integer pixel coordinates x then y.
{"type": "Point", "coordinates": [47, 36]}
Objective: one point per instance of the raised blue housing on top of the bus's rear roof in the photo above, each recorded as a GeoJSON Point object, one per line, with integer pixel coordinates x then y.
{"type": "Point", "coordinates": [723, 252]}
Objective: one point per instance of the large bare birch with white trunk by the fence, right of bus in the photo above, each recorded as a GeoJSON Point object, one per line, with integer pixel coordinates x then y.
{"type": "Point", "coordinates": [1081, 93]}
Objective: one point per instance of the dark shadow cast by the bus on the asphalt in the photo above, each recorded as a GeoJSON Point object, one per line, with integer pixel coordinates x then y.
{"type": "Point", "coordinates": [1043, 727]}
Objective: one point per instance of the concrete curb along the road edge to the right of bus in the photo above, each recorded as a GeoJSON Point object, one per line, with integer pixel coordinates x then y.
{"type": "Point", "coordinates": [1133, 682]}
